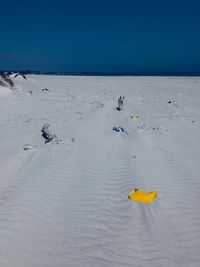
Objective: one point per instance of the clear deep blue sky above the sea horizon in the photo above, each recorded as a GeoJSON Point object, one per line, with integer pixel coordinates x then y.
{"type": "Point", "coordinates": [100, 35]}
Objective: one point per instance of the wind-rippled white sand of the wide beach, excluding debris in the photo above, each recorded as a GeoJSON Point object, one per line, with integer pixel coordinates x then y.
{"type": "Point", "coordinates": [67, 205]}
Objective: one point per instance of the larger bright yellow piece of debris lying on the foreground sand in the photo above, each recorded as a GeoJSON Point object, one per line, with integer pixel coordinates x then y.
{"type": "Point", "coordinates": [141, 196]}
